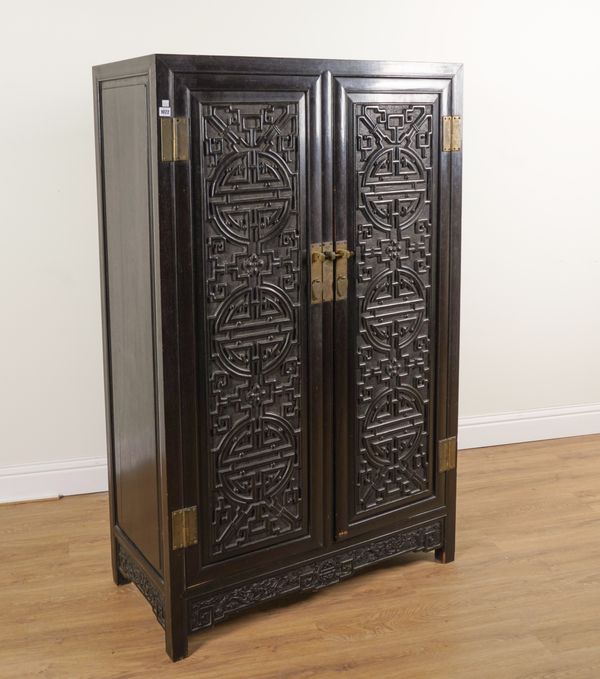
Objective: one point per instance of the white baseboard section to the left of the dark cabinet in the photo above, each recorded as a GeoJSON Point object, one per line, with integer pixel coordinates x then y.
{"type": "Point", "coordinates": [20, 483]}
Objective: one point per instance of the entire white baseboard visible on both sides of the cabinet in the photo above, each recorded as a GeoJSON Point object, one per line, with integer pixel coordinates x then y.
{"type": "Point", "coordinates": [89, 475]}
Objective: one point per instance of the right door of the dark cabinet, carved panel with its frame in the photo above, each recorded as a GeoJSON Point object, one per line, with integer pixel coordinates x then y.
{"type": "Point", "coordinates": [390, 328]}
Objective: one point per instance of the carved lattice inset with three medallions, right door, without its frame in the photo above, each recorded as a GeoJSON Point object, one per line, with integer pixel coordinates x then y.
{"type": "Point", "coordinates": [393, 163]}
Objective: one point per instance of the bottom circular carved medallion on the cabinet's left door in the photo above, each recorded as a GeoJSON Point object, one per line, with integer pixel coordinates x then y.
{"type": "Point", "coordinates": [256, 459]}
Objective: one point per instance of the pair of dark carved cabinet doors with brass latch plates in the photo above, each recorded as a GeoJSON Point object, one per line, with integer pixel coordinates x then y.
{"type": "Point", "coordinates": [315, 331]}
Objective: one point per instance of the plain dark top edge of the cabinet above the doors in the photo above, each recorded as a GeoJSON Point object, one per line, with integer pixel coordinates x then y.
{"type": "Point", "coordinates": [281, 65]}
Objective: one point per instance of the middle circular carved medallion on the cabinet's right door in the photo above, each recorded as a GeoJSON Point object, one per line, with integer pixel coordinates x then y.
{"type": "Point", "coordinates": [393, 308]}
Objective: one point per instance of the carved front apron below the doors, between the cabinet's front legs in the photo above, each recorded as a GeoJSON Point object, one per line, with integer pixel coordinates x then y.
{"type": "Point", "coordinates": [206, 610]}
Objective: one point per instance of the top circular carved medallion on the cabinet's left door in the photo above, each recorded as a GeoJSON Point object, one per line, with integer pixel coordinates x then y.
{"type": "Point", "coordinates": [251, 196]}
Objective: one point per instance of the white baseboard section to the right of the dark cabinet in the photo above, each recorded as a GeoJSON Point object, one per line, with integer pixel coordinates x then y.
{"type": "Point", "coordinates": [531, 425]}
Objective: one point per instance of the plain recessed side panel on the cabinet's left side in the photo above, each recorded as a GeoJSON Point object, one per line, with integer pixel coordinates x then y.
{"type": "Point", "coordinates": [129, 309]}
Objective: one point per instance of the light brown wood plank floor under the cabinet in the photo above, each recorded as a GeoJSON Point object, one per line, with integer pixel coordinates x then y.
{"type": "Point", "coordinates": [521, 600]}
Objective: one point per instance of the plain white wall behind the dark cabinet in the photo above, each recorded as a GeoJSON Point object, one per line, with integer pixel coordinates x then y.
{"type": "Point", "coordinates": [531, 274]}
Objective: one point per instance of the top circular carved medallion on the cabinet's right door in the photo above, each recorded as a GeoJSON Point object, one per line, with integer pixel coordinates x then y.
{"type": "Point", "coordinates": [393, 188]}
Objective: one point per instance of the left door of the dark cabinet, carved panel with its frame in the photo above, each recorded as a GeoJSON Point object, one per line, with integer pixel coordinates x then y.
{"type": "Point", "coordinates": [255, 470]}
